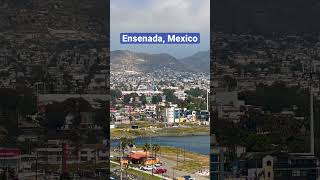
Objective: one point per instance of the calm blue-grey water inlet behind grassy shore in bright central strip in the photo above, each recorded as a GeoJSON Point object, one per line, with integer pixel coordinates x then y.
{"type": "Point", "coordinates": [197, 144]}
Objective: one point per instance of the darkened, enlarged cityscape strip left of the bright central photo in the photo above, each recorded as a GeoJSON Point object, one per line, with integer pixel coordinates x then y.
{"type": "Point", "coordinates": [53, 89]}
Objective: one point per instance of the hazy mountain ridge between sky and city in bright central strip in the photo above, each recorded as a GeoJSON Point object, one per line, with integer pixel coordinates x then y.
{"type": "Point", "coordinates": [138, 61]}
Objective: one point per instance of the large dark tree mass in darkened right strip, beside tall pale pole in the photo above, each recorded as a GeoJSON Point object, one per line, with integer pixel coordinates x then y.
{"type": "Point", "coordinates": [269, 130]}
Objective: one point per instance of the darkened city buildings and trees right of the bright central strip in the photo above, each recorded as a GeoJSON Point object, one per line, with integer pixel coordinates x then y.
{"type": "Point", "coordinates": [264, 104]}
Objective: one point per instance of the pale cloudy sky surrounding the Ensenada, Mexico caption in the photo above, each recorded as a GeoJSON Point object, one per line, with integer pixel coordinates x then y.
{"type": "Point", "coordinates": [160, 16]}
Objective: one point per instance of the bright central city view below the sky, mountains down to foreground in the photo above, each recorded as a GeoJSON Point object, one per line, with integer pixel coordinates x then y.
{"type": "Point", "coordinates": [152, 100]}
